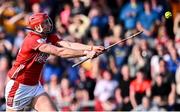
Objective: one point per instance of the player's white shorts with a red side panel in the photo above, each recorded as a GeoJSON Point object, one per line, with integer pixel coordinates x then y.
{"type": "Point", "coordinates": [19, 96]}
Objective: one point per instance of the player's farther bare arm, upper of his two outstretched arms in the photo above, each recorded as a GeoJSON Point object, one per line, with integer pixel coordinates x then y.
{"type": "Point", "coordinates": [79, 46]}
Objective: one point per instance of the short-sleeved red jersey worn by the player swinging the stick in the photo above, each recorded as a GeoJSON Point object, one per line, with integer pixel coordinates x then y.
{"type": "Point", "coordinates": [29, 62]}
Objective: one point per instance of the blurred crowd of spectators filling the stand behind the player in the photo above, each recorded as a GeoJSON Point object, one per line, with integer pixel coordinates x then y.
{"type": "Point", "coordinates": [141, 74]}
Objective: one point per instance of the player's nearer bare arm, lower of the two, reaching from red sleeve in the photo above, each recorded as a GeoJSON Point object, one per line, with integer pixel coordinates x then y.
{"type": "Point", "coordinates": [64, 52]}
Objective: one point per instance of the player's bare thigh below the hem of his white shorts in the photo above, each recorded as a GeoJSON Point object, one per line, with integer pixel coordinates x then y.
{"type": "Point", "coordinates": [43, 102]}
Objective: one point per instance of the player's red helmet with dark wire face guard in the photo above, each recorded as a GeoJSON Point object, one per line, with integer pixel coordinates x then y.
{"type": "Point", "coordinates": [41, 23]}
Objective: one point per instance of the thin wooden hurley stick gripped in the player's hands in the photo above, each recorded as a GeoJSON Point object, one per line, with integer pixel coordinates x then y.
{"type": "Point", "coordinates": [109, 47]}
